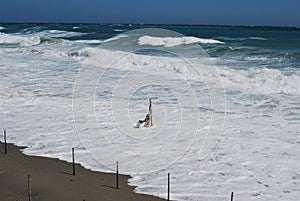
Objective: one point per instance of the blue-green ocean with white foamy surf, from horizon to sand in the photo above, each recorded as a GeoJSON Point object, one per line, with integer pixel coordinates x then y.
{"type": "Point", "coordinates": [225, 101]}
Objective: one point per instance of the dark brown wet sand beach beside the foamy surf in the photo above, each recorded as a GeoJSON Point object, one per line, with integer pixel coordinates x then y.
{"type": "Point", "coordinates": [53, 179]}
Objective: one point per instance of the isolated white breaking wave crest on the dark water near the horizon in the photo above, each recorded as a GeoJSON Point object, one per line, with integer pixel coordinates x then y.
{"type": "Point", "coordinates": [175, 41]}
